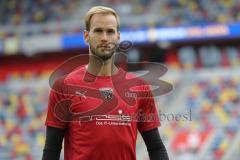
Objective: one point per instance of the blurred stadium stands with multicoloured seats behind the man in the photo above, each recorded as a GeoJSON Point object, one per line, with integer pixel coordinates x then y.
{"type": "Point", "coordinates": [197, 40]}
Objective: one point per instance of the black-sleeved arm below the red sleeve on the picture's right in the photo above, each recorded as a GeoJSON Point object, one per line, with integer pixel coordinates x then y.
{"type": "Point", "coordinates": [154, 144]}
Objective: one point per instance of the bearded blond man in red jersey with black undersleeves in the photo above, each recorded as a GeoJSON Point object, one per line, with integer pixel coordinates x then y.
{"type": "Point", "coordinates": [100, 122]}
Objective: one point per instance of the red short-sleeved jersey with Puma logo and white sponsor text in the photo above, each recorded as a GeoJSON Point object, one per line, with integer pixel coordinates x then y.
{"type": "Point", "coordinates": [101, 123]}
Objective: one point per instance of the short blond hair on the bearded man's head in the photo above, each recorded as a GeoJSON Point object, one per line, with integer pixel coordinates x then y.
{"type": "Point", "coordinates": [100, 10]}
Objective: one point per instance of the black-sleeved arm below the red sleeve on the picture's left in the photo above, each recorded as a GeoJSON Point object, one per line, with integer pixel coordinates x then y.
{"type": "Point", "coordinates": [53, 143]}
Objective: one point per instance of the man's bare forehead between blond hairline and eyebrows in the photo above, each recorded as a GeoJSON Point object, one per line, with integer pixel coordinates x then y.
{"type": "Point", "coordinates": [103, 21]}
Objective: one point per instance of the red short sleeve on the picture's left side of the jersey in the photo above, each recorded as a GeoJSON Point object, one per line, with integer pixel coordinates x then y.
{"type": "Point", "coordinates": [56, 109]}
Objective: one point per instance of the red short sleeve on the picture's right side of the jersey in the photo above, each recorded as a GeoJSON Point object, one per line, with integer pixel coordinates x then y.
{"type": "Point", "coordinates": [149, 118]}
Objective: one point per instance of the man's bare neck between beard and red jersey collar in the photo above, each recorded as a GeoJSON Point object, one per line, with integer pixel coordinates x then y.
{"type": "Point", "coordinates": [101, 68]}
